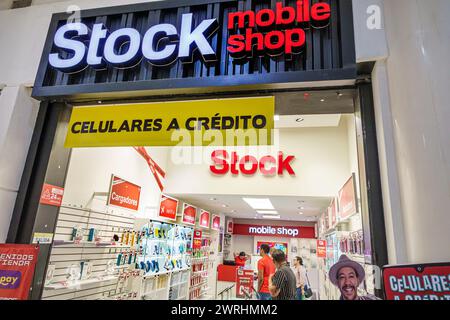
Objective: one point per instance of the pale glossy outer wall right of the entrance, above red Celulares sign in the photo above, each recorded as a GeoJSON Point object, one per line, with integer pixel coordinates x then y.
{"type": "Point", "coordinates": [418, 76]}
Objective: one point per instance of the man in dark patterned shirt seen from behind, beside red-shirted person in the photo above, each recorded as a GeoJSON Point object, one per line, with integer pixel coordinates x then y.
{"type": "Point", "coordinates": [282, 284]}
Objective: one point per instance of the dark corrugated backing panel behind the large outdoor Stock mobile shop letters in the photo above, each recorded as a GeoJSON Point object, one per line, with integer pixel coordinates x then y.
{"type": "Point", "coordinates": [329, 49]}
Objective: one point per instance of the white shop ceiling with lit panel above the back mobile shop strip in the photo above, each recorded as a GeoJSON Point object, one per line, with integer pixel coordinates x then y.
{"type": "Point", "coordinates": [234, 206]}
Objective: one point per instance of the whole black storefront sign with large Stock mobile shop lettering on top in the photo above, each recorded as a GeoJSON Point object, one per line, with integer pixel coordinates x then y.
{"type": "Point", "coordinates": [169, 45]}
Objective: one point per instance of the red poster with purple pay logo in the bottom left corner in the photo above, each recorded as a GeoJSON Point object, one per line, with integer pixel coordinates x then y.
{"type": "Point", "coordinates": [17, 262]}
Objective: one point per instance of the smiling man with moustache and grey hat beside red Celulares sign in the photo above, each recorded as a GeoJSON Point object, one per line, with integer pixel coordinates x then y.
{"type": "Point", "coordinates": [347, 275]}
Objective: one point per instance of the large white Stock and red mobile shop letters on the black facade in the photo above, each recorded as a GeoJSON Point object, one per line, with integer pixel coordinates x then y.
{"type": "Point", "coordinates": [272, 31]}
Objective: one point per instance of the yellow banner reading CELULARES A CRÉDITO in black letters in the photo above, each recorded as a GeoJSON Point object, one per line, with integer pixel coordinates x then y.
{"type": "Point", "coordinates": [221, 122]}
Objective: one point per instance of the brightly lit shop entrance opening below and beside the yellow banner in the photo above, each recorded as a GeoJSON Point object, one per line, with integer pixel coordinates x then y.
{"type": "Point", "coordinates": [171, 222]}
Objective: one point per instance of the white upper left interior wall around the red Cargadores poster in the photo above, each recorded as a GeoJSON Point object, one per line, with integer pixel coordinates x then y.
{"type": "Point", "coordinates": [90, 171]}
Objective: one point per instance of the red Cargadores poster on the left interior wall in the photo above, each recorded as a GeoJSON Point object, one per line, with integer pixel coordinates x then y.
{"type": "Point", "coordinates": [124, 194]}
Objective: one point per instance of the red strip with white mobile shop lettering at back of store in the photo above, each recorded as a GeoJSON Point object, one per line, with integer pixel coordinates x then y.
{"type": "Point", "coordinates": [274, 231]}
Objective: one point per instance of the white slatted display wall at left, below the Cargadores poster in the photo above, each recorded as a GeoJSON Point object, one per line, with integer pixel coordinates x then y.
{"type": "Point", "coordinates": [65, 254]}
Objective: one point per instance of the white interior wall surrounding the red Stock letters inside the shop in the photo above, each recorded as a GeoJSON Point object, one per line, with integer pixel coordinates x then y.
{"type": "Point", "coordinates": [322, 166]}
